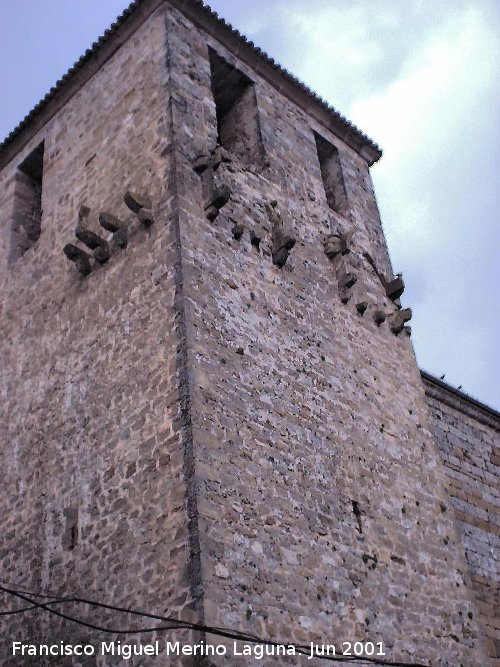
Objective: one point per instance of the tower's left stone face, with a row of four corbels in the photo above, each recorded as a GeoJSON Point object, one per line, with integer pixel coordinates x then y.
{"type": "Point", "coordinates": [94, 455]}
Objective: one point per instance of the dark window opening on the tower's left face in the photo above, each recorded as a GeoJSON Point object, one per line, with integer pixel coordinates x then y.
{"type": "Point", "coordinates": [27, 214]}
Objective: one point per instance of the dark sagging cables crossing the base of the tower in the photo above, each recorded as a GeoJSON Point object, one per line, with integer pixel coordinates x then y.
{"type": "Point", "coordinates": [174, 624]}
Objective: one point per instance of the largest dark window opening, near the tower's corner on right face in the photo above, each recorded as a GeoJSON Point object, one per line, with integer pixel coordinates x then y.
{"type": "Point", "coordinates": [238, 122]}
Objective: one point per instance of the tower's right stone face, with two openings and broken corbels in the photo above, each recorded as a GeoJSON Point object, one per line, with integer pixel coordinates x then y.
{"type": "Point", "coordinates": [320, 485]}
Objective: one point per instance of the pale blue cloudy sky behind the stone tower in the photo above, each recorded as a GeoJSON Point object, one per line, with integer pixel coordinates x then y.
{"type": "Point", "coordinates": [421, 77]}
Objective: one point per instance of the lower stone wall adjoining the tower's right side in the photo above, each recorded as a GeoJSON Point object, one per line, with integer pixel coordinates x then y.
{"type": "Point", "coordinates": [469, 440]}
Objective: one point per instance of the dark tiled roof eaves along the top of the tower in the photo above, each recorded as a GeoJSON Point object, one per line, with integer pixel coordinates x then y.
{"type": "Point", "coordinates": [203, 17]}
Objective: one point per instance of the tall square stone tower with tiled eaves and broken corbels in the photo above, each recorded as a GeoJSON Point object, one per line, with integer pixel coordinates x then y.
{"type": "Point", "coordinates": [211, 408]}
